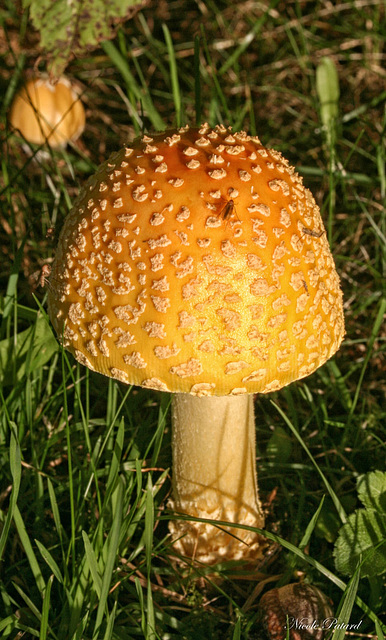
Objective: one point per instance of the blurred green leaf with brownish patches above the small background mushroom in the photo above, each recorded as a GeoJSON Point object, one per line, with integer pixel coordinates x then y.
{"type": "Point", "coordinates": [69, 29]}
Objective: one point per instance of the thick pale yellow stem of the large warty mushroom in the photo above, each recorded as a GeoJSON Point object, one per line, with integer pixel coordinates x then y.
{"type": "Point", "coordinates": [214, 476]}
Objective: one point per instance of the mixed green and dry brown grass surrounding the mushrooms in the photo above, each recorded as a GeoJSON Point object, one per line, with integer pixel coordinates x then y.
{"type": "Point", "coordinates": [84, 461]}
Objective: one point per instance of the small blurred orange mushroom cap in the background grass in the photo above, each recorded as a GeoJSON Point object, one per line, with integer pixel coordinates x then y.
{"type": "Point", "coordinates": [48, 112]}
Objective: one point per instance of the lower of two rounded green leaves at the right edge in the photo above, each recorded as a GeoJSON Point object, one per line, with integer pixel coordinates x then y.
{"type": "Point", "coordinates": [364, 535]}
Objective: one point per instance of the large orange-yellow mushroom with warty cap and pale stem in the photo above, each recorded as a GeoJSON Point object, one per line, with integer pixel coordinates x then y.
{"type": "Point", "coordinates": [193, 263]}
